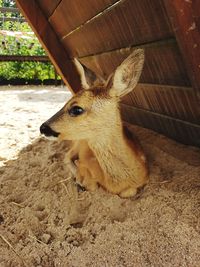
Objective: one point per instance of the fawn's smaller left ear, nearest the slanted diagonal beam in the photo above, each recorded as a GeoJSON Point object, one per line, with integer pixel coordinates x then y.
{"type": "Point", "coordinates": [88, 77]}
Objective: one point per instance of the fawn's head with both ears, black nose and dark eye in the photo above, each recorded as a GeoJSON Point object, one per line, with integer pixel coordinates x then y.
{"type": "Point", "coordinates": [94, 110]}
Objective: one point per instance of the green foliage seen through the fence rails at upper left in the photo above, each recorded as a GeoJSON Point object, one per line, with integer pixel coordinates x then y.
{"type": "Point", "coordinates": [17, 46]}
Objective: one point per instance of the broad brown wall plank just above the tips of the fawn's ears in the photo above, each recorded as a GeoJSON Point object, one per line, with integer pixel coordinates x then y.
{"type": "Point", "coordinates": [125, 25]}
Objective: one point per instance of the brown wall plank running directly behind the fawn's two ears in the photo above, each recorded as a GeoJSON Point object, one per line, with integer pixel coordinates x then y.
{"type": "Point", "coordinates": [163, 63]}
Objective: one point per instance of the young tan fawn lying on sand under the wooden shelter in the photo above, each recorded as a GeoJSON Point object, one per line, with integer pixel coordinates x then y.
{"type": "Point", "coordinates": [104, 152]}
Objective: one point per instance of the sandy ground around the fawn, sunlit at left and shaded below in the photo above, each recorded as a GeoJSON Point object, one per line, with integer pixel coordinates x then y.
{"type": "Point", "coordinates": [44, 221]}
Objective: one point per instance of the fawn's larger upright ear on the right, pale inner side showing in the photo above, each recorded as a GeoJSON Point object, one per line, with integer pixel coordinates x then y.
{"type": "Point", "coordinates": [127, 75]}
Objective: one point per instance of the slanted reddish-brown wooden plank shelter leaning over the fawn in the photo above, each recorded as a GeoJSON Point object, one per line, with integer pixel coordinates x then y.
{"type": "Point", "coordinates": [101, 33]}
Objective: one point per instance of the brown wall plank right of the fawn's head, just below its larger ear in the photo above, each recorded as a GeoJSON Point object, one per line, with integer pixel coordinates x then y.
{"type": "Point", "coordinates": [176, 102]}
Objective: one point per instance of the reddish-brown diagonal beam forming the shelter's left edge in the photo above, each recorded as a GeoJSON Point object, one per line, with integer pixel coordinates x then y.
{"type": "Point", "coordinates": [50, 42]}
